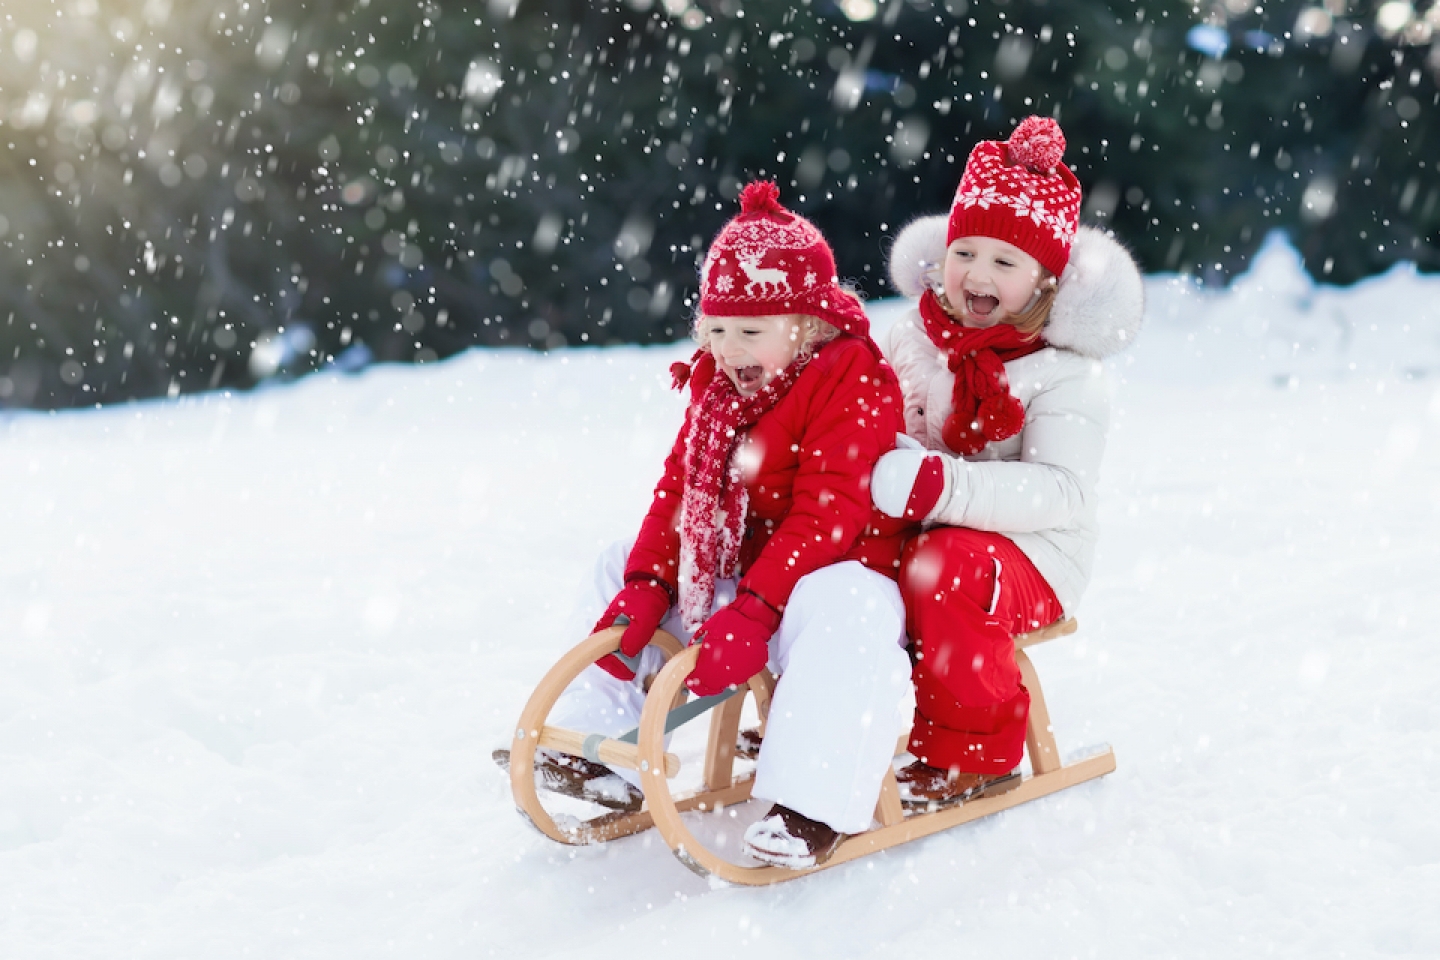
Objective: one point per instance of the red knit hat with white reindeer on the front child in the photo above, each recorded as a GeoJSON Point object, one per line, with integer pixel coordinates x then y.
{"type": "Point", "coordinates": [770, 263]}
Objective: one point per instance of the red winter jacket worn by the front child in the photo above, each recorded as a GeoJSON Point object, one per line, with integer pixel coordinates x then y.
{"type": "Point", "coordinates": [807, 470]}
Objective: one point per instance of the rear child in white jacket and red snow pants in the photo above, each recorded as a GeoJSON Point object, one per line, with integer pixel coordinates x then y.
{"type": "Point", "coordinates": [1009, 404]}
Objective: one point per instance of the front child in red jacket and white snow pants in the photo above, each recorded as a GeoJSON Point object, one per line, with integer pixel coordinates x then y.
{"type": "Point", "coordinates": [762, 543]}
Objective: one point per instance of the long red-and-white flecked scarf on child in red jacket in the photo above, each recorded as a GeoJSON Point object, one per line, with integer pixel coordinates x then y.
{"type": "Point", "coordinates": [715, 502]}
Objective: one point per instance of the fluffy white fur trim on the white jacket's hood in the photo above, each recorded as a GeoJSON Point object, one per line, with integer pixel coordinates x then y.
{"type": "Point", "coordinates": [1101, 302]}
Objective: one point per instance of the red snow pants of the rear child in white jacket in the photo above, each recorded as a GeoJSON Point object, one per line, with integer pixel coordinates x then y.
{"type": "Point", "coordinates": [967, 595]}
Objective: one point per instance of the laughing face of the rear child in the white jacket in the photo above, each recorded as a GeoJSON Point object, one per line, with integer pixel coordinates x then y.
{"type": "Point", "coordinates": [989, 281]}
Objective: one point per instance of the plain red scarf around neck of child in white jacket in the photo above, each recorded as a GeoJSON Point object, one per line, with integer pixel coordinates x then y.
{"type": "Point", "coordinates": [984, 409]}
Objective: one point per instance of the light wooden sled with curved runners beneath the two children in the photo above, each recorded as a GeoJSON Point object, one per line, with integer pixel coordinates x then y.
{"type": "Point", "coordinates": [666, 706]}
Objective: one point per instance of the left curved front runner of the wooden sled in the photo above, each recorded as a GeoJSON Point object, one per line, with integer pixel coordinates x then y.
{"type": "Point", "coordinates": [532, 735]}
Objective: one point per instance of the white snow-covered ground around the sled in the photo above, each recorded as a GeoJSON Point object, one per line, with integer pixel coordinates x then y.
{"type": "Point", "coordinates": [256, 651]}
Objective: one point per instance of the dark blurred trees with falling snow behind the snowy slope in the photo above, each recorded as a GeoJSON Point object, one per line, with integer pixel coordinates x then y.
{"type": "Point", "coordinates": [201, 195]}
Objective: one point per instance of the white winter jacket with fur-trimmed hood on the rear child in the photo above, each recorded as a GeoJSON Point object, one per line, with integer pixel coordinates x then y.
{"type": "Point", "coordinates": [1039, 487]}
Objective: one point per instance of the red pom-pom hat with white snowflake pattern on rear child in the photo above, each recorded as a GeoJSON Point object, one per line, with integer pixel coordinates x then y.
{"type": "Point", "coordinates": [1022, 194]}
